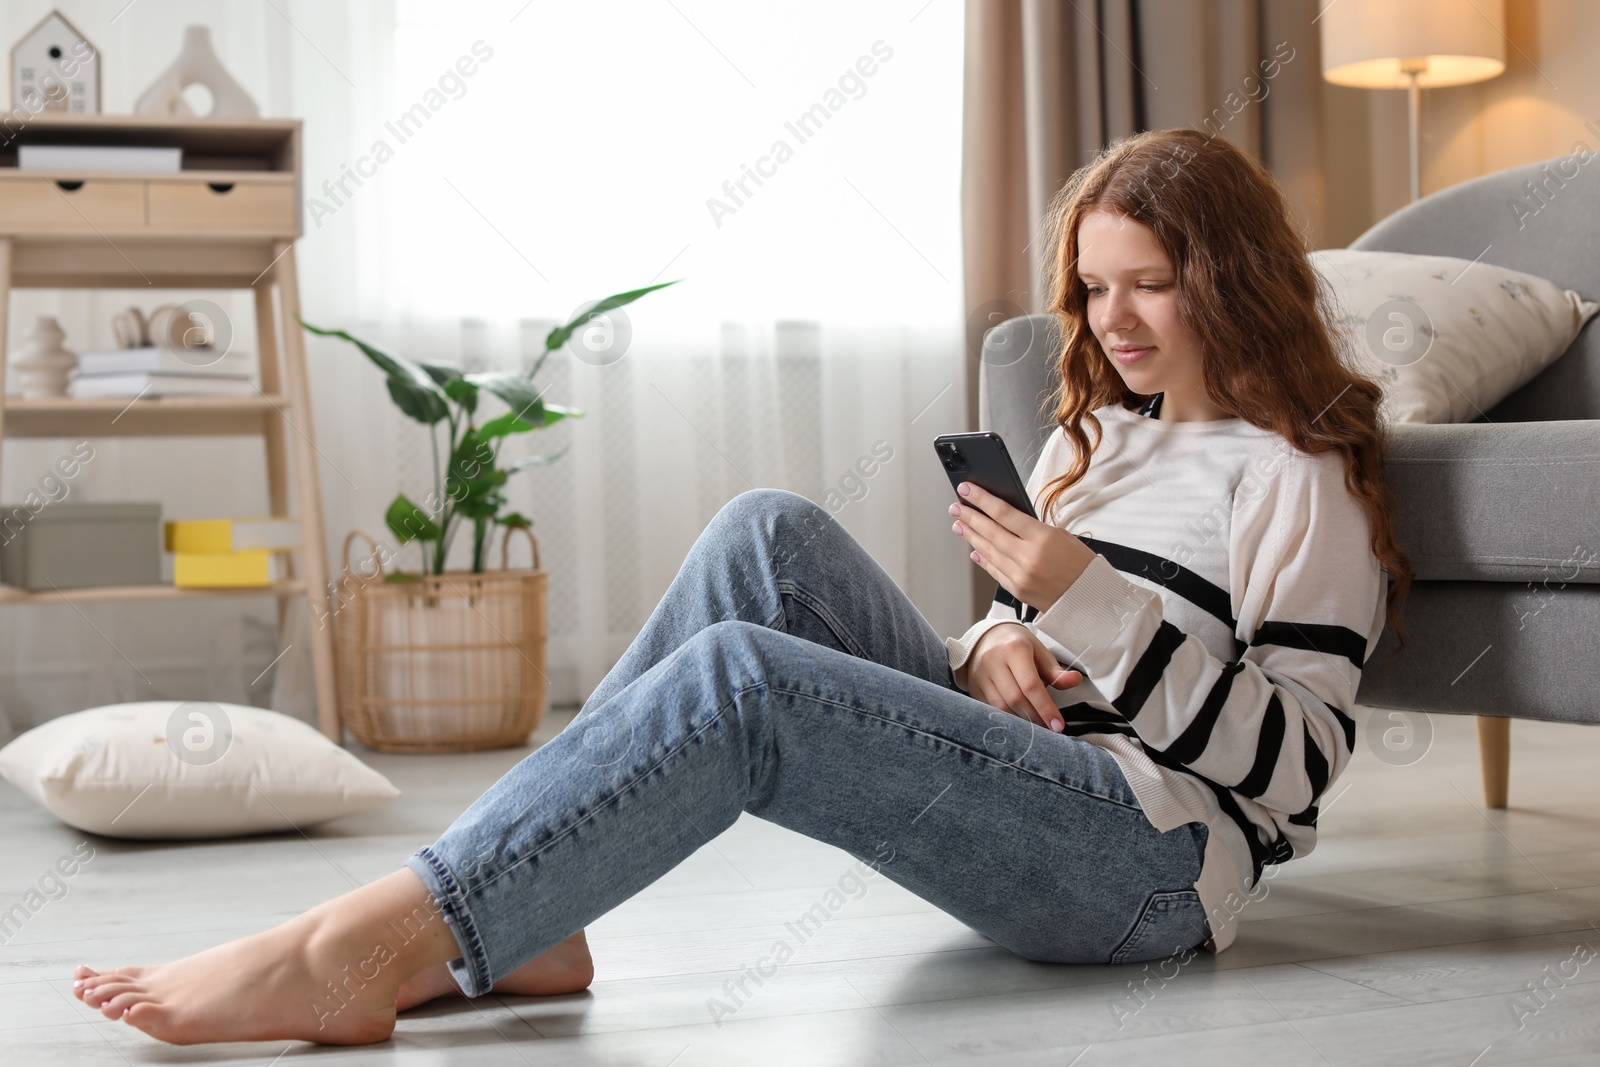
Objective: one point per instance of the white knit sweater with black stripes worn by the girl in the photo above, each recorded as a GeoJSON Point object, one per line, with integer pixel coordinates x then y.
{"type": "Point", "coordinates": [1222, 631]}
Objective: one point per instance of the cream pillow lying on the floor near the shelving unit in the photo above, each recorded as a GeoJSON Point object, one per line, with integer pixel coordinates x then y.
{"type": "Point", "coordinates": [190, 769]}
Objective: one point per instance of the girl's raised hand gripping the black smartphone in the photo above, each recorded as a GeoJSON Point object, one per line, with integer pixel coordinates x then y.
{"type": "Point", "coordinates": [1034, 561]}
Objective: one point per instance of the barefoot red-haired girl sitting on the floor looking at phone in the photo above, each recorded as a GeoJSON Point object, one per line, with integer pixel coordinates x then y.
{"type": "Point", "coordinates": [1097, 772]}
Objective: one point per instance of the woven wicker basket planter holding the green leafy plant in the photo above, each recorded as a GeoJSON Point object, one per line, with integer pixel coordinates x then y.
{"type": "Point", "coordinates": [447, 663]}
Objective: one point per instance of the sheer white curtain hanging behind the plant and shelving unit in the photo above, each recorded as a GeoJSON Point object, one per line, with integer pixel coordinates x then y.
{"type": "Point", "coordinates": [476, 172]}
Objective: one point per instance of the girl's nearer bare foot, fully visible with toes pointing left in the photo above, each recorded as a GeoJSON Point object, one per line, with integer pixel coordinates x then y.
{"type": "Point", "coordinates": [332, 975]}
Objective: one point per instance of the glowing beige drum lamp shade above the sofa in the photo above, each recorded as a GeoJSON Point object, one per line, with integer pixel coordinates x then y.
{"type": "Point", "coordinates": [1374, 44]}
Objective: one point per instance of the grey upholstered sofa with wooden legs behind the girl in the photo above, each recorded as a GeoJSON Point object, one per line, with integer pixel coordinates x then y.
{"type": "Point", "coordinates": [1500, 516]}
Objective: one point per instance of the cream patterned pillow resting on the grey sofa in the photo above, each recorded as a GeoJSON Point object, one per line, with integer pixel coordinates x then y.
{"type": "Point", "coordinates": [1447, 338]}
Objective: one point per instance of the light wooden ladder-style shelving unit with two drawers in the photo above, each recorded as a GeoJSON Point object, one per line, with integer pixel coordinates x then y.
{"type": "Point", "coordinates": [226, 222]}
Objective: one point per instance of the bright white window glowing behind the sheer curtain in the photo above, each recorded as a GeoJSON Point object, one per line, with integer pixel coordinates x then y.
{"type": "Point", "coordinates": [790, 162]}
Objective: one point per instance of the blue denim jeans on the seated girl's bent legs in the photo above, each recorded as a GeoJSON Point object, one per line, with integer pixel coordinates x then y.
{"type": "Point", "coordinates": [788, 676]}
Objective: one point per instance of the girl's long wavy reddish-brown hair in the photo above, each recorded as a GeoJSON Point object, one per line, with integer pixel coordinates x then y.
{"type": "Point", "coordinates": [1249, 294]}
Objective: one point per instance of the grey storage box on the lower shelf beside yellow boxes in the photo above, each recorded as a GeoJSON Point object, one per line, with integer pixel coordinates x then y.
{"type": "Point", "coordinates": [78, 546]}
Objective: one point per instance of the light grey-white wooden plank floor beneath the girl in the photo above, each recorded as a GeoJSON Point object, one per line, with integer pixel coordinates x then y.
{"type": "Point", "coordinates": [1407, 938]}
